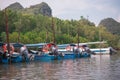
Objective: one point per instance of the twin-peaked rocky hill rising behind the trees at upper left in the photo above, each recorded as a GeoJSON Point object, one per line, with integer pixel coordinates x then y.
{"type": "Point", "coordinates": [42, 8]}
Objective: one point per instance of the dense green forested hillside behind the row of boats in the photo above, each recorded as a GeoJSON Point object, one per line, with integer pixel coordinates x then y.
{"type": "Point", "coordinates": [36, 28]}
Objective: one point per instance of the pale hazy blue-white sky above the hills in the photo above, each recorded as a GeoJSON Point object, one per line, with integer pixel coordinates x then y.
{"type": "Point", "coordinates": [95, 10]}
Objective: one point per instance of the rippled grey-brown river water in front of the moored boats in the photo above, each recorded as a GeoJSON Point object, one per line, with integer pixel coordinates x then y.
{"type": "Point", "coordinates": [102, 67]}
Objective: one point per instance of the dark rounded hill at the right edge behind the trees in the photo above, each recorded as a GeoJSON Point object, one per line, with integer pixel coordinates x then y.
{"type": "Point", "coordinates": [111, 25]}
